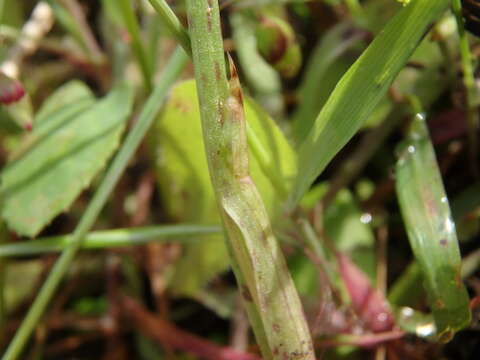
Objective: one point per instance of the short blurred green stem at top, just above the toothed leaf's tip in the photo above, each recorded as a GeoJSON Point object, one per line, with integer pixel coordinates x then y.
{"type": "Point", "coordinates": [138, 47]}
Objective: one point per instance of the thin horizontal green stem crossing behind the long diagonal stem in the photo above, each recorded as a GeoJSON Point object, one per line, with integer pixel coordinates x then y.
{"type": "Point", "coordinates": [110, 238]}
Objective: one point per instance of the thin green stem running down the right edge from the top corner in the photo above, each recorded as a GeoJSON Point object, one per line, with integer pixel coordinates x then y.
{"type": "Point", "coordinates": [469, 83]}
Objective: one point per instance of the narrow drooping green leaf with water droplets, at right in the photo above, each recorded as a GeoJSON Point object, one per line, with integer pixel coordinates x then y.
{"type": "Point", "coordinates": [431, 230]}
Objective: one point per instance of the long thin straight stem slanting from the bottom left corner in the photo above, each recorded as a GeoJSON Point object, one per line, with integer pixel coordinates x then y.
{"type": "Point", "coordinates": [150, 110]}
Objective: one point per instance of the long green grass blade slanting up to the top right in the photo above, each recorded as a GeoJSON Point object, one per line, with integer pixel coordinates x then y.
{"type": "Point", "coordinates": [362, 88]}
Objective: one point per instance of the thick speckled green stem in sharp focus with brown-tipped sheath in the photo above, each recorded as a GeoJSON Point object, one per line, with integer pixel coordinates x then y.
{"type": "Point", "coordinates": [273, 304]}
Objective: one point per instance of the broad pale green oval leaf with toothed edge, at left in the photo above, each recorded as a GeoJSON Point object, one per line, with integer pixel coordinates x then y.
{"type": "Point", "coordinates": [60, 159]}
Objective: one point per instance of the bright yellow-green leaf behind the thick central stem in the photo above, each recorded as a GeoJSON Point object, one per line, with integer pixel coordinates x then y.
{"type": "Point", "coordinates": [185, 183]}
